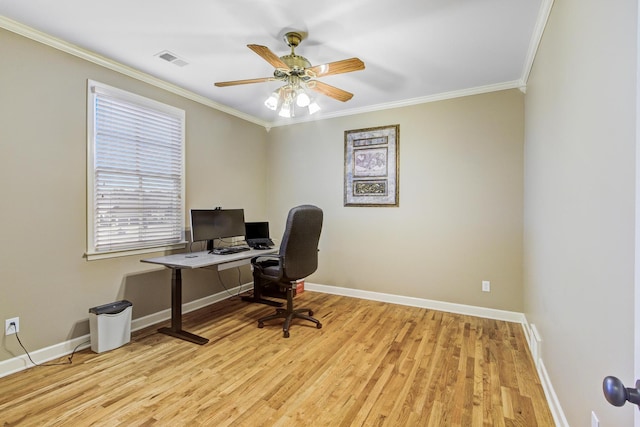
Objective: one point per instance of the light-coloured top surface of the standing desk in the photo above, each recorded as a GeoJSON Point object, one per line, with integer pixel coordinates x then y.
{"type": "Point", "coordinates": [204, 259]}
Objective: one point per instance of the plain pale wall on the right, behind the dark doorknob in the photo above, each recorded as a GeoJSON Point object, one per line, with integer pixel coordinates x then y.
{"type": "Point", "coordinates": [579, 203]}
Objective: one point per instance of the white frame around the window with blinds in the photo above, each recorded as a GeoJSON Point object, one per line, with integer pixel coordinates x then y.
{"type": "Point", "coordinates": [93, 88]}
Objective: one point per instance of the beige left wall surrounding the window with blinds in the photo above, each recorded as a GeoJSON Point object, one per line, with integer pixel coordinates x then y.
{"type": "Point", "coordinates": [45, 279]}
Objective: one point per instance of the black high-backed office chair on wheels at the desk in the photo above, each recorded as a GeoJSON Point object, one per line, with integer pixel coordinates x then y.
{"type": "Point", "coordinates": [297, 259]}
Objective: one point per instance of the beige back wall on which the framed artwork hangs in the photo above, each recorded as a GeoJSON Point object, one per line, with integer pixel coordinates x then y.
{"type": "Point", "coordinates": [461, 206]}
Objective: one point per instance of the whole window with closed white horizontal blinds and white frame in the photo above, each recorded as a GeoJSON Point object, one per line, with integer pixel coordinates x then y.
{"type": "Point", "coordinates": [135, 182]}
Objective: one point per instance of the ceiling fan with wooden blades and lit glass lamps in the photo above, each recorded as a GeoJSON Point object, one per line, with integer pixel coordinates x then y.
{"type": "Point", "coordinates": [296, 71]}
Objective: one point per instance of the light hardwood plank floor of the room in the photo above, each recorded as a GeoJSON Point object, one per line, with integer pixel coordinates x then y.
{"type": "Point", "coordinates": [371, 364]}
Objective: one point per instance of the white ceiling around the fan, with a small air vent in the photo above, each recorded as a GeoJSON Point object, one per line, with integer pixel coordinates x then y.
{"type": "Point", "coordinates": [414, 50]}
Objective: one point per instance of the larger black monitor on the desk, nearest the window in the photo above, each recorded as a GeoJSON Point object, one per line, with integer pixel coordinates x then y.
{"type": "Point", "coordinates": [210, 224]}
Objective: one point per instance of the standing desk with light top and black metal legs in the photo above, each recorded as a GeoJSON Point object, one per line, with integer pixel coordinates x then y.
{"type": "Point", "coordinates": [193, 260]}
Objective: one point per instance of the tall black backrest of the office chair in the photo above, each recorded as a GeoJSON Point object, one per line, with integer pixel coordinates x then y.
{"type": "Point", "coordinates": [299, 247]}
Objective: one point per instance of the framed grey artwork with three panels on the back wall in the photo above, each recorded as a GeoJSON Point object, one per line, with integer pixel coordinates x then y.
{"type": "Point", "coordinates": [371, 167]}
